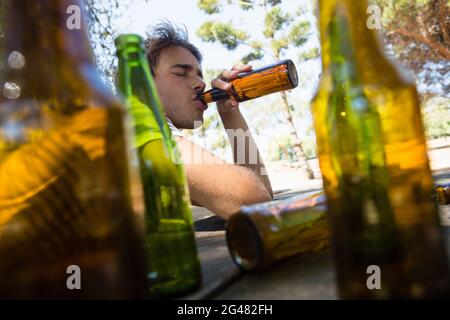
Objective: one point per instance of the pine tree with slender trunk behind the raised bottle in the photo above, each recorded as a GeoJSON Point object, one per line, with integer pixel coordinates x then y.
{"type": "Point", "coordinates": [276, 41]}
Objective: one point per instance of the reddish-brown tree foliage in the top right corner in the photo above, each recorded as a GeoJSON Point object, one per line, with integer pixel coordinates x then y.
{"type": "Point", "coordinates": [417, 32]}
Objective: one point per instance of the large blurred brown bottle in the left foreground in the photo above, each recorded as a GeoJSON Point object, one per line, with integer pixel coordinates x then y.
{"type": "Point", "coordinates": [64, 175]}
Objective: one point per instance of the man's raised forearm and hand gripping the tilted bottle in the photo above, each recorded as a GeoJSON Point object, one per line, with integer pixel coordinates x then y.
{"type": "Point", "coordinates": [245, 150]}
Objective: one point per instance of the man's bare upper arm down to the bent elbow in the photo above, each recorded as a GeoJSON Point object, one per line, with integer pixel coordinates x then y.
{"type": "Point", "coordinates": [220, 187]}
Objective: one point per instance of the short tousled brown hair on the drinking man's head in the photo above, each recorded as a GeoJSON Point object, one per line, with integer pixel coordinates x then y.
{"type": "Point", "coordinates": [164, 35]}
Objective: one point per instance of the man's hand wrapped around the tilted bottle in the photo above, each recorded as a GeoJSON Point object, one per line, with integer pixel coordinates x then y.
{"type": "Point", "coordinates": [222, 82]}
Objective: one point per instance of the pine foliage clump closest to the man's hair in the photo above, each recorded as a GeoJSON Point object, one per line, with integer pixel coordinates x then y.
{"type": "Point", "coordinates": [225, 33]}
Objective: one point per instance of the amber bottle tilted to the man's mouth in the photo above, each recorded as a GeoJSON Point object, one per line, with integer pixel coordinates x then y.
{"type": "Point", "coordinates": [277, 77]}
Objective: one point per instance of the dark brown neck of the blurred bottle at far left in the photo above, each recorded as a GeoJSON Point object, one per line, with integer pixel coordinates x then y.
{"type": "Point", "coordinates": [49, 41]}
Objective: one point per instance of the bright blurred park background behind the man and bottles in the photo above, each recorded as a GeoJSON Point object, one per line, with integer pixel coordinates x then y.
{"type": "Point", "coordinates": [260, 32]}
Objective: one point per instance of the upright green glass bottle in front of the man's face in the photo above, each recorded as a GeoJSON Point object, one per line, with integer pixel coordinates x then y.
{"type": "Point", "coordinates": [172, 255]}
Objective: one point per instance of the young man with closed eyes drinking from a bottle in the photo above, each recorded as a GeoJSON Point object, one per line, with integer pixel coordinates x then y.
{"type": "Point", "coordinates": [222, 188]}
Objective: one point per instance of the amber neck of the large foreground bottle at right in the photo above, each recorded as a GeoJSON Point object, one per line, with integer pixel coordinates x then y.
{"type": "Point", "coordinates": [363, 41]}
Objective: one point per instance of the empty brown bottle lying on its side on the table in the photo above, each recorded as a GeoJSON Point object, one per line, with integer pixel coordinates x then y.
{"type": "Point", "coordinates": [262, 234]}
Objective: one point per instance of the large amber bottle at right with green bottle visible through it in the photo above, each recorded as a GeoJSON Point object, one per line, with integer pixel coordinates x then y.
{"type": "Point", "coordinates": [375, 168]}
